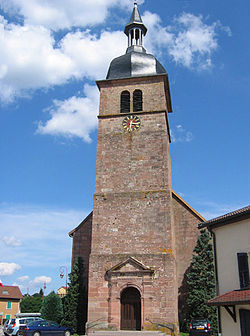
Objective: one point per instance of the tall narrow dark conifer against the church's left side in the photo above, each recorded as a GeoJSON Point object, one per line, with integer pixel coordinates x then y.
{"type": "Point", "coordinates": [75, 302]}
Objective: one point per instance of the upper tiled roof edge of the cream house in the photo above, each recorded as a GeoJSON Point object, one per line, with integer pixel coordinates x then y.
{"type": "Point", "coordinates": [230, 217]}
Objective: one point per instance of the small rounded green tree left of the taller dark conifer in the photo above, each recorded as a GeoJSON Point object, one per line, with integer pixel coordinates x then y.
{"type": "Point", "coordinates": [52, 308]}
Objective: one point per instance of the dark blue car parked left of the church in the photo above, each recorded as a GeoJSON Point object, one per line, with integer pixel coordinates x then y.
{"type": "Point", "coordinates": [42, 328]}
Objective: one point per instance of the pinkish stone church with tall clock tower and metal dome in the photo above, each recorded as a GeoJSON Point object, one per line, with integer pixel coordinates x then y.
{"type": "Point", "coordinates": [137, 243]}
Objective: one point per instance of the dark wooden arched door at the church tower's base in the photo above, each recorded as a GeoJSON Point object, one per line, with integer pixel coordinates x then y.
{"type": "Point", "coordinates": [130, 309]}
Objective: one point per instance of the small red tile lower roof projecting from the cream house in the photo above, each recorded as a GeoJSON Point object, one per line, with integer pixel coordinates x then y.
{"type": "Point", "coordinates": [231, 298]}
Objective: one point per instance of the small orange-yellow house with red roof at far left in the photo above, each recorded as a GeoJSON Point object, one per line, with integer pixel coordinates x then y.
{"type": "Point", "coordinates": [10, 298]}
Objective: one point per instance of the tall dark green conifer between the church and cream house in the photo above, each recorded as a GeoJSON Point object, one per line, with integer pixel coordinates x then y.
{"type": "Point", "coordinates": [201, 282]}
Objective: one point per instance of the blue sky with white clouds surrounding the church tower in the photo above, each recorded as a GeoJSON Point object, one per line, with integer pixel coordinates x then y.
{"type": "Point", "coordinates": [52, 51]}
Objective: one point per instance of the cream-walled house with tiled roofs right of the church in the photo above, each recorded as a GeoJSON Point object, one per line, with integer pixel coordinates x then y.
{"type": "Point", "coordinates": [231, 235]}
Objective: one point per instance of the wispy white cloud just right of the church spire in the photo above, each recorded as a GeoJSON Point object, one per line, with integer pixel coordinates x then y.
{"type": "Point", "coordinates": [189, 40]}
